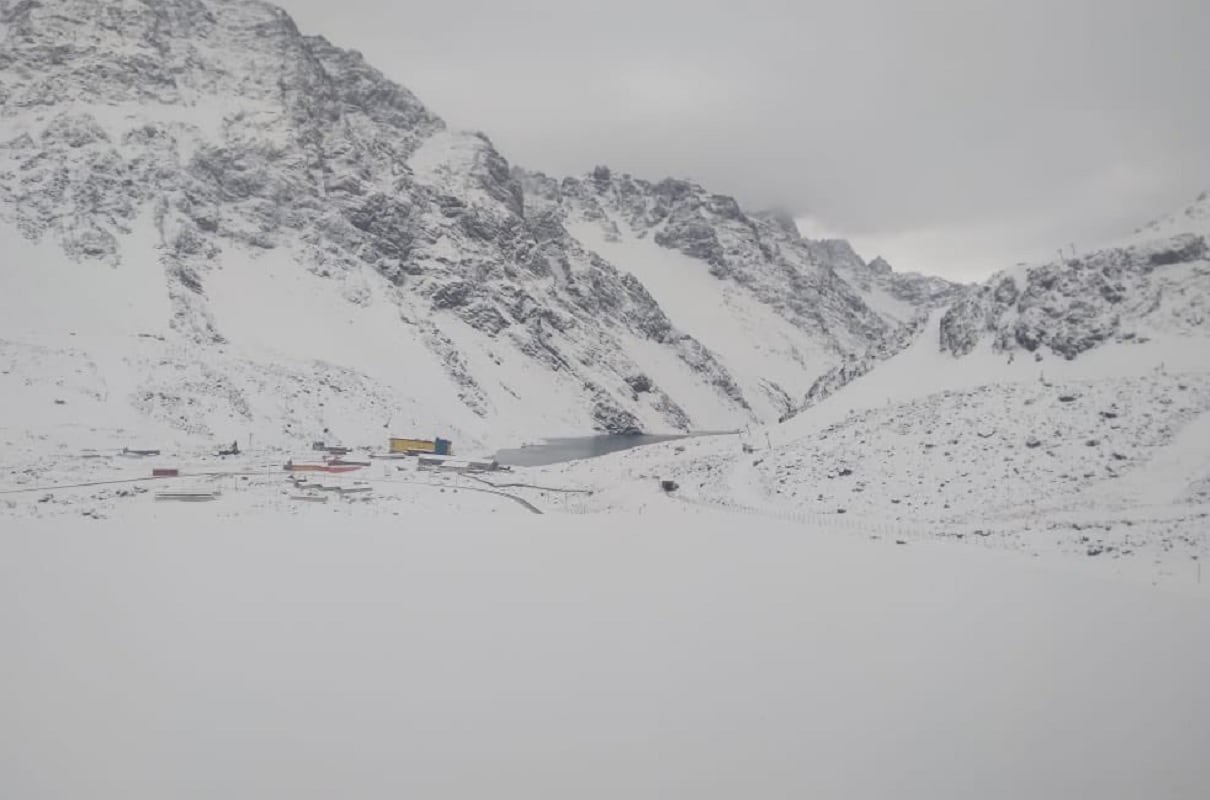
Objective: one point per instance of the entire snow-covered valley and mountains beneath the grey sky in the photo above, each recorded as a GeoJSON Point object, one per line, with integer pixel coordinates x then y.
{"type": "Point", "coordinates": [954, 544]}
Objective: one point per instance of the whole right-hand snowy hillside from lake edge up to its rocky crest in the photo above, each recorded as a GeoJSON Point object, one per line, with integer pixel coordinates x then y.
{"type": "Point", "coordinates": [1032, 436]}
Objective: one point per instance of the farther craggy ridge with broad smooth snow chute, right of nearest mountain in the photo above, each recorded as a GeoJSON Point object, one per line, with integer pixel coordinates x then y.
{"type": "Point", "coordinates": [783, 312]}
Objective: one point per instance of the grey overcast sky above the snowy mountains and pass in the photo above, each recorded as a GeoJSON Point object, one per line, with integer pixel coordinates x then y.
{"type": "Point", "coordinates": [950, 136]}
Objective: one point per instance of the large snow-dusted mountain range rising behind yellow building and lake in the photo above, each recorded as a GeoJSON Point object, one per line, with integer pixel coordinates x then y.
{"type": "Point", "coordinates": [229, 227]}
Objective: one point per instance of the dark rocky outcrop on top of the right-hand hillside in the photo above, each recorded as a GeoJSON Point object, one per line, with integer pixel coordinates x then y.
{"type": "Point", "coordinates": [1074, 307]}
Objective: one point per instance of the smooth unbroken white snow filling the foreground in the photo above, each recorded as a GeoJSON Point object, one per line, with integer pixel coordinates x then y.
{"type": "Point", "coordinates": [180, 653]}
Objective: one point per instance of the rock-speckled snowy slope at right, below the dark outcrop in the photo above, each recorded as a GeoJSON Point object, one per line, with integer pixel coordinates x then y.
{"type": "Point", "coordinates": [993, 450]}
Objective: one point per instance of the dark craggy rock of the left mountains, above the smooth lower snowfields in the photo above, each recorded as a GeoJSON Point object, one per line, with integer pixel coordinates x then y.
{"type": "Point", "coordinates": [237, 136]}
